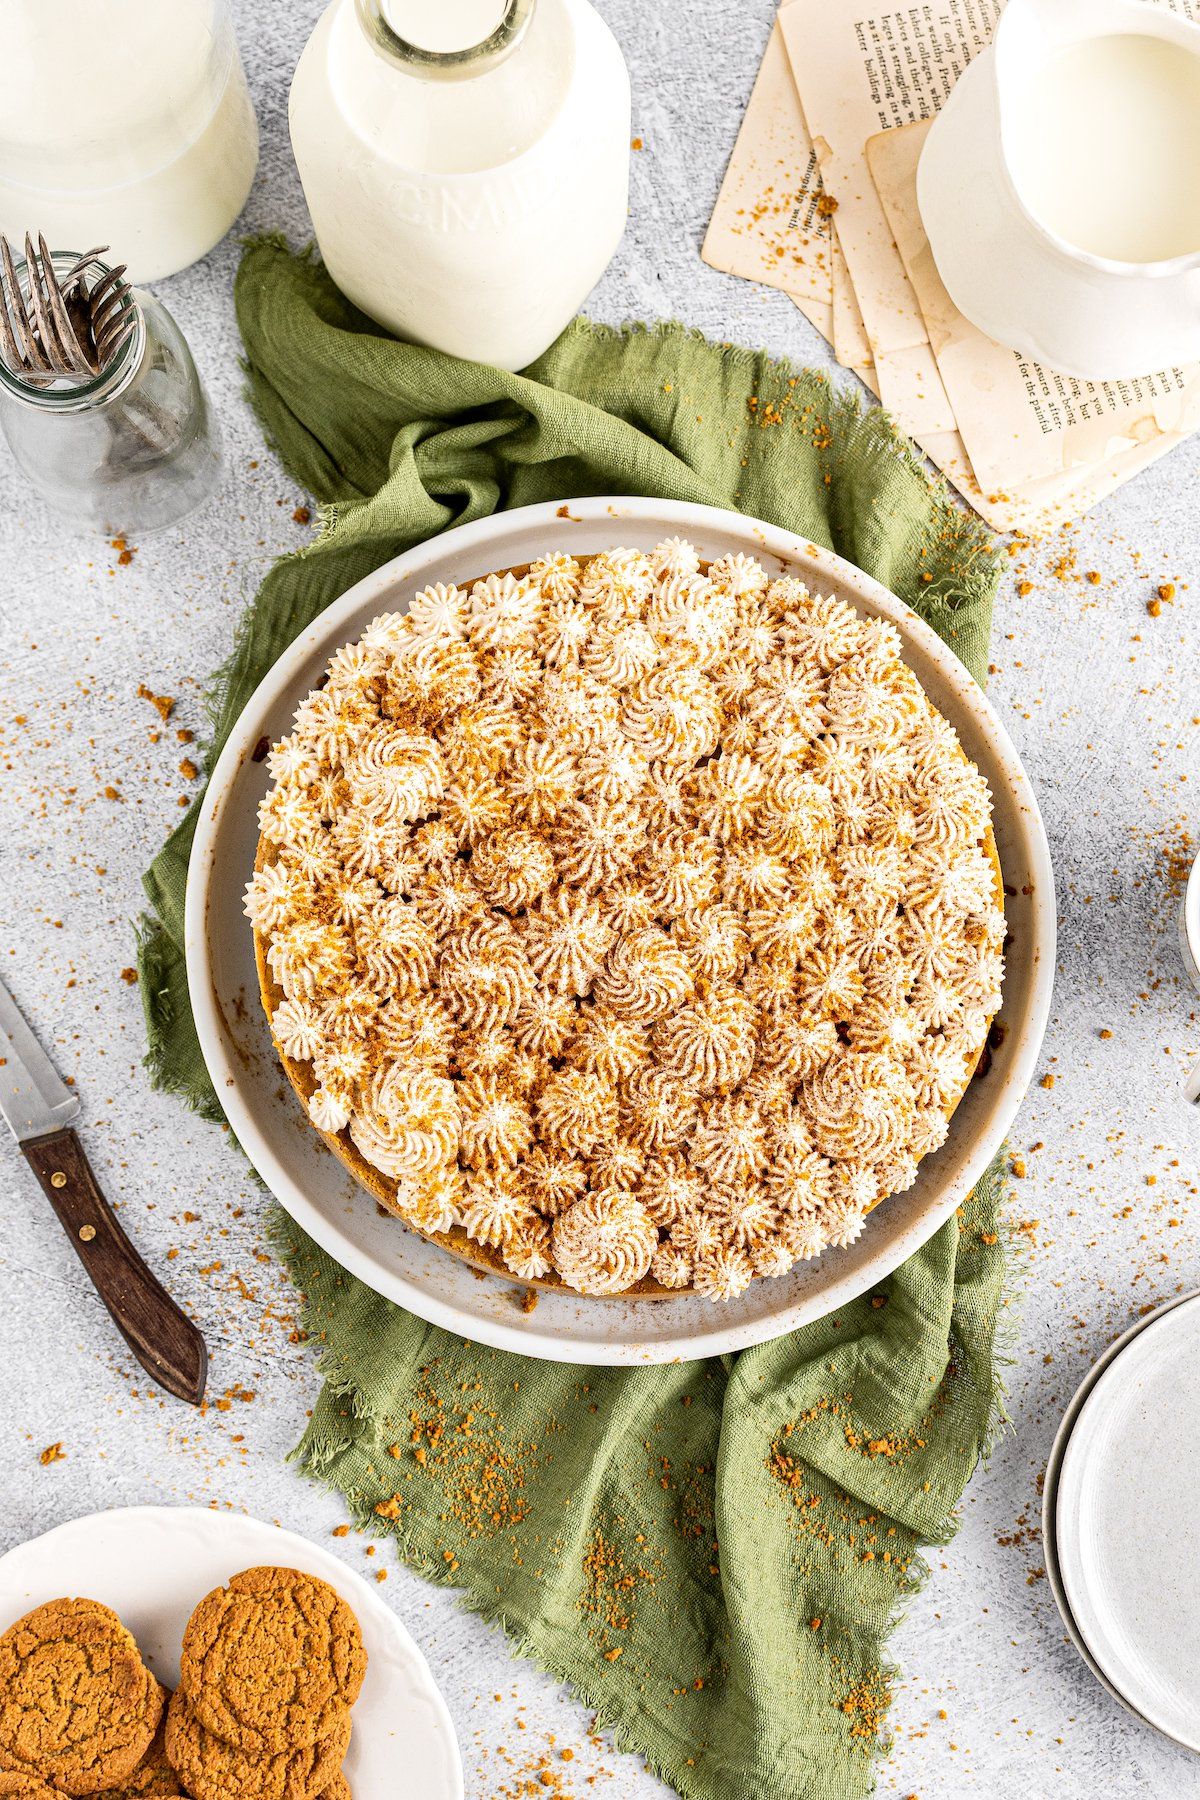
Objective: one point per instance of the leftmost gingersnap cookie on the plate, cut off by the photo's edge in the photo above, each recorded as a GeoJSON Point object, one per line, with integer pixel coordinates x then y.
{"type": "Point", "coordinates": [78, 1707]}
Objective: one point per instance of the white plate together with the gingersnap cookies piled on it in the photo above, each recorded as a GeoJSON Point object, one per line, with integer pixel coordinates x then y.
{"type": "Point", "coordinates": [172, 1653]}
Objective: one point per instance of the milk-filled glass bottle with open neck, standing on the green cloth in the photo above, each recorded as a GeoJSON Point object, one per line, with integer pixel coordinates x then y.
{"type": "Point", "coordinates": [467, 165]}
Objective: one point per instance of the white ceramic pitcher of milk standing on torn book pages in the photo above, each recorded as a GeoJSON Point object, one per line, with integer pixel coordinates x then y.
{"type": "Point", "coordinates": [1012, 134]}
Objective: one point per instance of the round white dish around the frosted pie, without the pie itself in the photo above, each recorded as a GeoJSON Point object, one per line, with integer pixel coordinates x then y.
{"type": "Point", "coordinates": [325, 1198]}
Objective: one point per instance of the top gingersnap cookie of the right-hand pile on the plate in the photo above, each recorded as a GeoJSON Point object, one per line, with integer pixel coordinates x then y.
{"type": "Point", "coordinates": [273, 1660]}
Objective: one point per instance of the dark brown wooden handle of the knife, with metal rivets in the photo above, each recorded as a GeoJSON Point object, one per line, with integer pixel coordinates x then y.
{"type": "Point", "coordinates": [163, 1338]}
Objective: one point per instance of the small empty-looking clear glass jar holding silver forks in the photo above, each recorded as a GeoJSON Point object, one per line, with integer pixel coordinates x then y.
{"type": "Point", "coordinates": [100, 399]}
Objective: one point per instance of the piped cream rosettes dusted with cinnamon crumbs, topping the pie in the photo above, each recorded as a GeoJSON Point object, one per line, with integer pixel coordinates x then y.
{"type": "Point", "coordinates": [638, 921]}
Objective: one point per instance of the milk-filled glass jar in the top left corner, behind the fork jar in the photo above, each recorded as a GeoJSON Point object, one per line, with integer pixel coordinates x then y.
{"type": "Point", "coordinates": [125, 125]}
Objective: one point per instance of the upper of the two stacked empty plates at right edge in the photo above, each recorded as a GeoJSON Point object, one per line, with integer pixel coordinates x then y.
{"type": "Point", "coordinates": [1127, 1534]}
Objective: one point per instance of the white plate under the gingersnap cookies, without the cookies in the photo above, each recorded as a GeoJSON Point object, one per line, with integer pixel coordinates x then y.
{"type": "Point", "coordinates": [152, 1565]}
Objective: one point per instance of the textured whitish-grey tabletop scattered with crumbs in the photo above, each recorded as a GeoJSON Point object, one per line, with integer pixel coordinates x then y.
{"type": "Point", "coordinates": [1106, 706]}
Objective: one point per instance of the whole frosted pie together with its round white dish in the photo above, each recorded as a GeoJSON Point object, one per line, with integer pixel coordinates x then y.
{"type": "Point", "coordinates": [586, 1093]}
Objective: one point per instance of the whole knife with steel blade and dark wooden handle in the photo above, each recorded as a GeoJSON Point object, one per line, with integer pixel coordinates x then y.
{"type": "Point", "coordinates": [40, 1111]}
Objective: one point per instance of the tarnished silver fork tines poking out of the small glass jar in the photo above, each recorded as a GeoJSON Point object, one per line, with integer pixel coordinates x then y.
{"type": "Point", "coordinates": [55, 327]}
